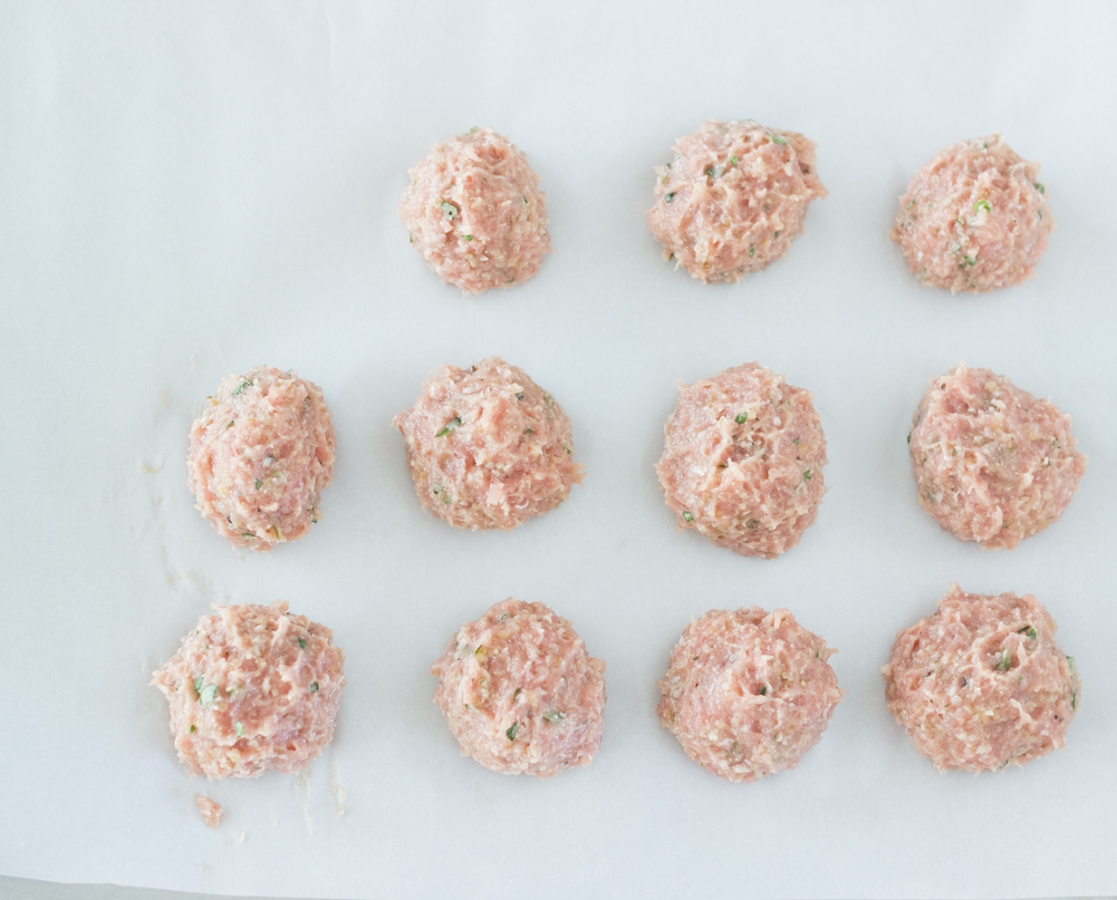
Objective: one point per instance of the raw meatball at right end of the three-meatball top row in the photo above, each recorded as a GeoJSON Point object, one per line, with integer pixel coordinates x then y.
{"type": "Point", "coordinates": [975, 218]}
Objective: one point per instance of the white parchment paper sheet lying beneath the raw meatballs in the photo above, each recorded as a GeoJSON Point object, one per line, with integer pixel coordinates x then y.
{"type": "Point", "coordinates": [187, 192]}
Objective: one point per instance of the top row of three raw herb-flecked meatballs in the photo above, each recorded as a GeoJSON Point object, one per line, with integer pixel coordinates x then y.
{"type": "Point", "coordinates": [730, 203]}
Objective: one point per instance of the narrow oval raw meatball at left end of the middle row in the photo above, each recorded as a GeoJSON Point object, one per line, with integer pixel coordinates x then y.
{"type": "Point", "coordinates": [261, 455]}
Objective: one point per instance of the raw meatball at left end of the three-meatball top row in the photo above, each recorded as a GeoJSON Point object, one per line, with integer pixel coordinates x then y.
{"type": "Point", "coordinates": [475, 212]}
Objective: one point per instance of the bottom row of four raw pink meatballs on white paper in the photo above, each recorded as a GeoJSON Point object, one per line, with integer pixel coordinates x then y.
{"type": "Point", "coordinates": [978, 686]}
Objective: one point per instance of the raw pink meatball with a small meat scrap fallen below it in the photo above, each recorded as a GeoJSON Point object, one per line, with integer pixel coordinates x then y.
{"type": "Point", "coordinates": [253, 688]}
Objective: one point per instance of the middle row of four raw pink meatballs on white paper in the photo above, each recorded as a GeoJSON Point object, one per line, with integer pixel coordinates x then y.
{"type": "Point", "coordinates": [743, 456]}
